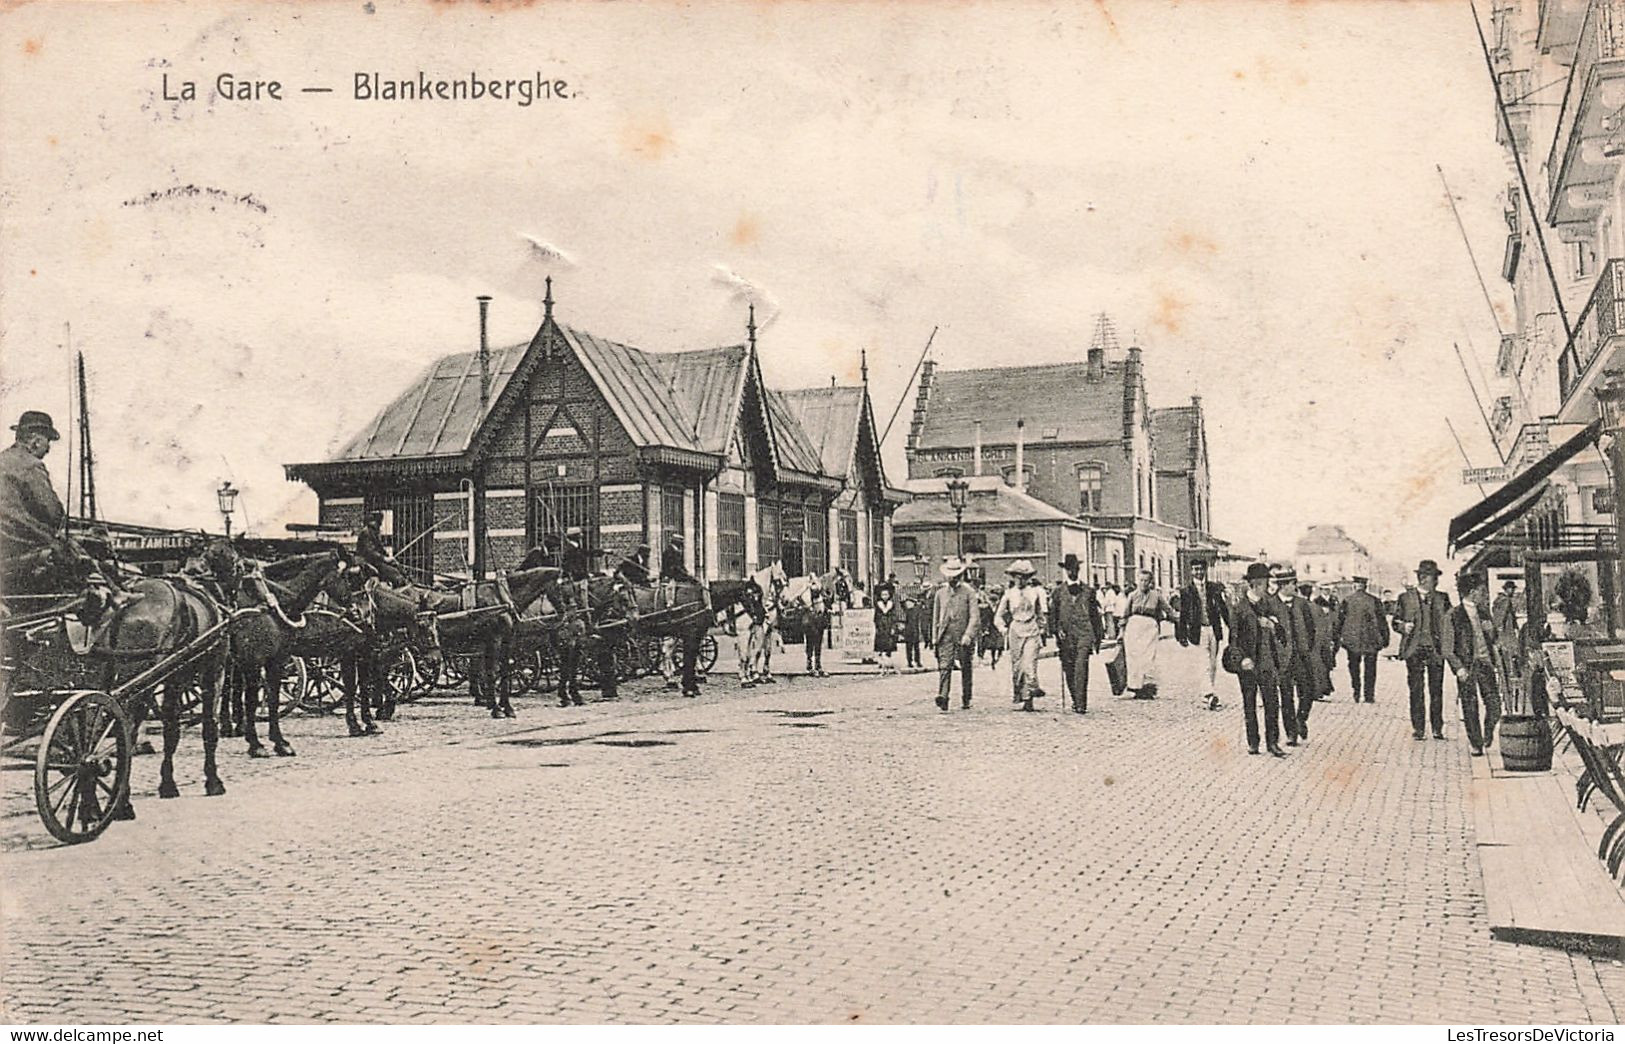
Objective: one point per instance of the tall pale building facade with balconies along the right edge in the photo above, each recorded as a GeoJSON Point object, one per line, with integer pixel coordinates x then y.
{"type": "Point", "coordinates": [1559, 74]}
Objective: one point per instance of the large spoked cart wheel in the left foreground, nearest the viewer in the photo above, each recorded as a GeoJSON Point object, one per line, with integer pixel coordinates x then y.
{"type": "Point", "coordinates": [82, 773]}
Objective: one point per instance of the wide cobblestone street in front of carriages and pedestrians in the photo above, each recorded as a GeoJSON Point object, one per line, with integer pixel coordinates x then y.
{"type": "Point", "coordinates": [815, 851]}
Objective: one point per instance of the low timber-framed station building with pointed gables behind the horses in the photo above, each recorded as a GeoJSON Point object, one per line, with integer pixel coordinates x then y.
{"type": "Point", "coordinates": [487, 453]}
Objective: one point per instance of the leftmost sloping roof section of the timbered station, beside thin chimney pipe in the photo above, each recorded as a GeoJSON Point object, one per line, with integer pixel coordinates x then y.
{"type": "Point", "coordinates": [438, 414]}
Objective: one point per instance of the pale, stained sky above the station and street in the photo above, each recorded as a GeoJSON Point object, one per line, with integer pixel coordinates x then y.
{"type": "Point", "coordinates": [1249, 188]}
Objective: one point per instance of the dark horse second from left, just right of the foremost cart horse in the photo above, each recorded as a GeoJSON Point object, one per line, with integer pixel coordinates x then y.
{"type": "Point", "coordinates": [266, 642]}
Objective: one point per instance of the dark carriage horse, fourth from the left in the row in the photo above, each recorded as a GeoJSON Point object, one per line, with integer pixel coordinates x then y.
{"type": "Point", "coordinates": [482, 622]}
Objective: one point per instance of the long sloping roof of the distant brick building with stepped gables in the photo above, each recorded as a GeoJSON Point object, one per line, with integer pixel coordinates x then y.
{"type": "Point", "coordinates": [1055, 399]}
